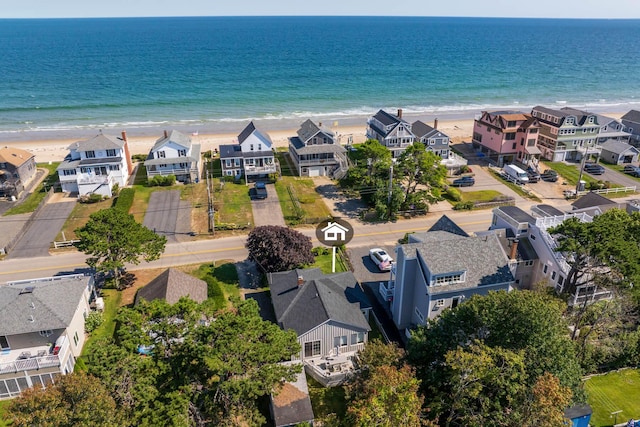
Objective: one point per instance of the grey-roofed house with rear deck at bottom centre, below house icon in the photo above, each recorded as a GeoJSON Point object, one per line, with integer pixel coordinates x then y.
{"type": "Point", "coordinates": [328, 312]}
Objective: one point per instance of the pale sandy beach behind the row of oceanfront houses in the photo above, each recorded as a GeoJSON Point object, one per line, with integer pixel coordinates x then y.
{"type": "Point", "coordinates": [53, 150]}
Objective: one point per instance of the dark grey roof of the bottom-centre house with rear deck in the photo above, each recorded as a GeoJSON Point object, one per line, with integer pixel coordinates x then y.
{"type": "Point", "coordinates": [320, 298]}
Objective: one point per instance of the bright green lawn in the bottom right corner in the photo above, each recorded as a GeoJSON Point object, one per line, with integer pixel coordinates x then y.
{"type": "Point", "coordinates": [615, 391]}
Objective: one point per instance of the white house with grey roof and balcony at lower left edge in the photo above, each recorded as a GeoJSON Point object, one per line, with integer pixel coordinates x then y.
{"type": "Point", "coordinates": [41, 330]}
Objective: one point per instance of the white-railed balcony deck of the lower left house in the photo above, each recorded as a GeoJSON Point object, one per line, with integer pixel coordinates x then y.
{"type": "Point", "coordinates": [34, 358]}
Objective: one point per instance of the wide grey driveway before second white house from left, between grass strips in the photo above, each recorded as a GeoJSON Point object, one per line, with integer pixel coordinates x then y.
{"type": "Point", "coordinates": [168, 216]}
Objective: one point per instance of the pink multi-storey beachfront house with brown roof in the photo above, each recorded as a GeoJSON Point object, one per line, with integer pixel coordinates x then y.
{"type": "Point", "coordinates": [507, 137]}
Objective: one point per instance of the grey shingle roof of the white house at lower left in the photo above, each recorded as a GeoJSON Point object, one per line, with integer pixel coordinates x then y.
{"type": "Point", "coordinates": [50, 305]}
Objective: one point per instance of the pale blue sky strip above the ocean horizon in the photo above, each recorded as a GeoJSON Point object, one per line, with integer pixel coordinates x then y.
{"type": "Point", "coordinates": [486, 8]}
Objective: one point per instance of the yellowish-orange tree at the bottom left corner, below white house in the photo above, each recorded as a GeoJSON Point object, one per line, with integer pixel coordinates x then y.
{"type": "Point", "coordinates": [73, 400]}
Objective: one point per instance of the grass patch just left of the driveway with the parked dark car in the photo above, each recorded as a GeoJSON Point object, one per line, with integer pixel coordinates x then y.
{"type": "Point", "coordinates": [232, 203]}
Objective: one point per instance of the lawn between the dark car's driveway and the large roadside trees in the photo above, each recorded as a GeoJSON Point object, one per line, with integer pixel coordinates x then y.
{"type": "Point", "coordinates": [299, 200]}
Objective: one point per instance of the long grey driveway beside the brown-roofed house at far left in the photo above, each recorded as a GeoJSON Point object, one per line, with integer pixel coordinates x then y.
{"type": "Point", "coordinates": [44, 228]}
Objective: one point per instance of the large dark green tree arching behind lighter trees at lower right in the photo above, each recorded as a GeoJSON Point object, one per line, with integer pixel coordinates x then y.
{"type": "Point", "coordinates": [522, 322]}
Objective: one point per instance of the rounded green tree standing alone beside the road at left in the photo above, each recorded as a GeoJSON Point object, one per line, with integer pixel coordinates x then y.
{"type": "Point", "coordinates": [113, 238]}
